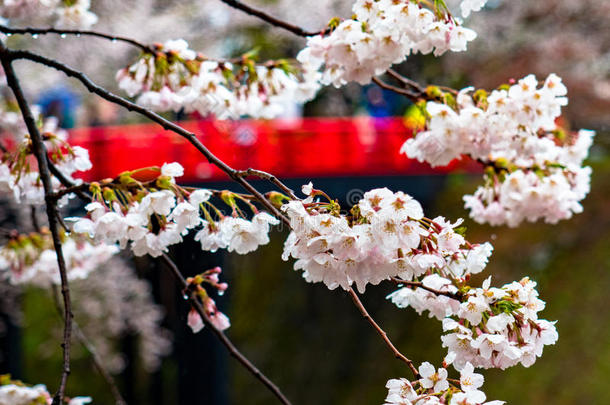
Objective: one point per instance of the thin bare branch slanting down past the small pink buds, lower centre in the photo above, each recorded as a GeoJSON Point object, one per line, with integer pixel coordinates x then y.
{"type": "Point", "coordinates": [221, 336]}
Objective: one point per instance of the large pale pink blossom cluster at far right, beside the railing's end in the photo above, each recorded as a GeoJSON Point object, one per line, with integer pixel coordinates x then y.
{"type": "Point", "coordinates": [534, 169]}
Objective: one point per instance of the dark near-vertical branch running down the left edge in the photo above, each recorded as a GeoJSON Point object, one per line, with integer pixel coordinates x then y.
{"type": "Point", "coordinates": [52, 212]}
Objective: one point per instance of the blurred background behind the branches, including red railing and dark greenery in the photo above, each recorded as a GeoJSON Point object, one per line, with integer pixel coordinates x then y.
{"type": "Point", "coordinates": [311, 341]}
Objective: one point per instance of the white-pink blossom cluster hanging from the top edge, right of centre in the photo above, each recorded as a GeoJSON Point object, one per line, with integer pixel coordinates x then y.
{"type": "Point", "coordinates": [382, 33]}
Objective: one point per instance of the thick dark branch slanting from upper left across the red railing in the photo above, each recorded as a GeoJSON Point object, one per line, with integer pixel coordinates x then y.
{"type": "Point", "coordinates": [166, 124]}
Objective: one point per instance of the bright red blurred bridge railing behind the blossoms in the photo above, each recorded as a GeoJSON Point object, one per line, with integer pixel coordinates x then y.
{"type": "Point", "coordinates": [320, 147]}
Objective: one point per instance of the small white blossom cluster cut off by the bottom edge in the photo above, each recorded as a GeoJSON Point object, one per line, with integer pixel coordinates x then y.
{"type": "Point", "coordinates": [434, 388]}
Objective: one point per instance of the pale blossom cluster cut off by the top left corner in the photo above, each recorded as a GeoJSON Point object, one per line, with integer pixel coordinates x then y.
{"type": "Point", "coordinates": [68, 13]}
